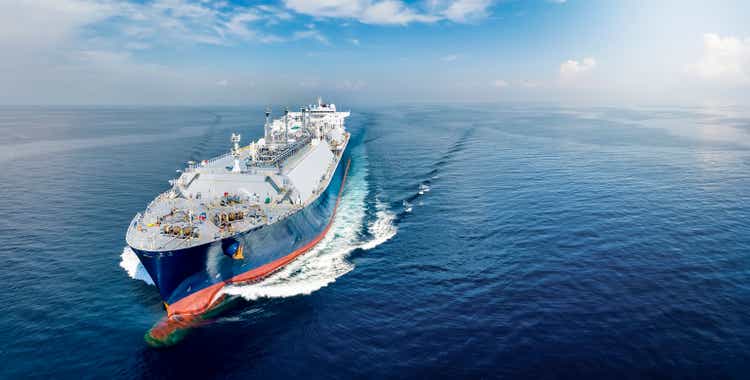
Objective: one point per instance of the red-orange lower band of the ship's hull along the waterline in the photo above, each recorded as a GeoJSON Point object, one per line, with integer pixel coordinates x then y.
{"type": "Point", "coordinates": [202, 300]}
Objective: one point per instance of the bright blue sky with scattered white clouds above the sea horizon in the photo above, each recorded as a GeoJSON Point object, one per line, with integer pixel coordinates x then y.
{"type": "Point", "coordinates": [199, 52]}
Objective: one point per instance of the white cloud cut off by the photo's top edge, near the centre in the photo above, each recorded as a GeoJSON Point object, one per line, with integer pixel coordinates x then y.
{"type": "Point", "coordinates": [392, 12]}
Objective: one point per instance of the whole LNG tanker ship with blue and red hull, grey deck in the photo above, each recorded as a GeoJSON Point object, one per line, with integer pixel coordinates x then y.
{"type": "Point", "coordinates": [239, 217]}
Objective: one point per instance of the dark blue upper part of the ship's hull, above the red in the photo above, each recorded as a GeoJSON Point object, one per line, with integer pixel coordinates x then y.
{"type": "Point", "coordinates": [180, 273]}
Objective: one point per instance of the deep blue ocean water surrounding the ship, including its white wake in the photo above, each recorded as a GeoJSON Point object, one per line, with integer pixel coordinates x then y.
{"type": "Point", "coordinates": [490, 241]}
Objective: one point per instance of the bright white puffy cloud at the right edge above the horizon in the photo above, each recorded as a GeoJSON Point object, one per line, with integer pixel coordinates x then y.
{"type": "Point", "coordinates": [725, 59]}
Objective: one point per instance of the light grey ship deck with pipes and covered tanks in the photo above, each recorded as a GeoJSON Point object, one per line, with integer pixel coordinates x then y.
{"type": "Point", "coordinates": [213, 200]}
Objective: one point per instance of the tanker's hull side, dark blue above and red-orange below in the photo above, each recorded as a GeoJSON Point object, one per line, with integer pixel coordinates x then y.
{"type": "Point", "coordinates": [189, 279]}
